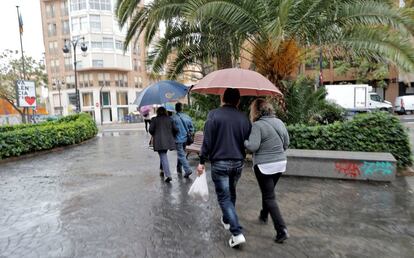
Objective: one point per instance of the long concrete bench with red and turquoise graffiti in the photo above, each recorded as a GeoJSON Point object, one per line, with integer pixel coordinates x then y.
{"type": "Point", "coordinates": [374, 166]}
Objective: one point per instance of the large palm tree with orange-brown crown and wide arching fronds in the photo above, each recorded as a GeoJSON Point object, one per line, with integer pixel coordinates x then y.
{"type": "Point", "coordinates": [276, 33]}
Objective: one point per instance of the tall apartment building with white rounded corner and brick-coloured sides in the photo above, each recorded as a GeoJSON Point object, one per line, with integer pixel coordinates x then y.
{"type": "Point", "coordinates": [108, 77]}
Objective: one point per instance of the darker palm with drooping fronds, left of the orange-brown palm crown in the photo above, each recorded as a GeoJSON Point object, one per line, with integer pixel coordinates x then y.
{"type": "Point", "coordinates": [193, 44]}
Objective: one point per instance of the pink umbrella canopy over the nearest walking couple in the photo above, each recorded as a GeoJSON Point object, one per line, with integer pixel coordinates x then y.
{"type": "Point", "coordinates": [249, 83]}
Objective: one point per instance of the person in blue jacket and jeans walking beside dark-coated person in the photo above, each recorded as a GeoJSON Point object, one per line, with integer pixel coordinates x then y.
{"type": "Point", "coordinates": [184, 125]}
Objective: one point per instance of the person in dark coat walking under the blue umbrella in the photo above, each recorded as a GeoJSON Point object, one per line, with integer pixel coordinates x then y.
{"type": "Point", "coordinates": [163, 131]}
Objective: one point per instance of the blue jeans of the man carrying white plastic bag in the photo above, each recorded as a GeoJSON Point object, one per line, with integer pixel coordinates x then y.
{"type": "Point", "coordinates": [225, 174]}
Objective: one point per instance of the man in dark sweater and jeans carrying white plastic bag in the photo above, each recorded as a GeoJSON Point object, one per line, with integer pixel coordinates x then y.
{"type": "Point", "coordinates": [225, 131]}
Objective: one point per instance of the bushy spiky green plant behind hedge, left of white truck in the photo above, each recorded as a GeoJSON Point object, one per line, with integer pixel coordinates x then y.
{"type": "Point", "coordinates": [304, 105]}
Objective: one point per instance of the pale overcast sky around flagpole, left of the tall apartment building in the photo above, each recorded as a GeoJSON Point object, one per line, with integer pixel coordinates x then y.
{"type": "Point", "coordinates": [32, 24]}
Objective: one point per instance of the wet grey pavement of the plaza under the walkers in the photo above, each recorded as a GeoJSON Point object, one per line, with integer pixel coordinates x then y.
{"type": "Point", "coordinates": [105, 198]}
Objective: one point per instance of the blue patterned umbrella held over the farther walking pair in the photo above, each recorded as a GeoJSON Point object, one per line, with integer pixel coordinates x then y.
{"type": "Point", "coordinates": [161, 93]}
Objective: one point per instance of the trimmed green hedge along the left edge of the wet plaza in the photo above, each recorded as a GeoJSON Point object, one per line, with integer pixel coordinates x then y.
{"type": "Point", "coordinates": [21, 139]}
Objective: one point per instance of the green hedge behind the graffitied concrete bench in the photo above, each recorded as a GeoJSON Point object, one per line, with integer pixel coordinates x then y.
{"type": "Point", "coordinates": [372, 132]}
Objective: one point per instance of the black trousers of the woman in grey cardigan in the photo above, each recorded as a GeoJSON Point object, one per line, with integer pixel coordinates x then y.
{"type": "Point", "coordinates": [267, 184]}
